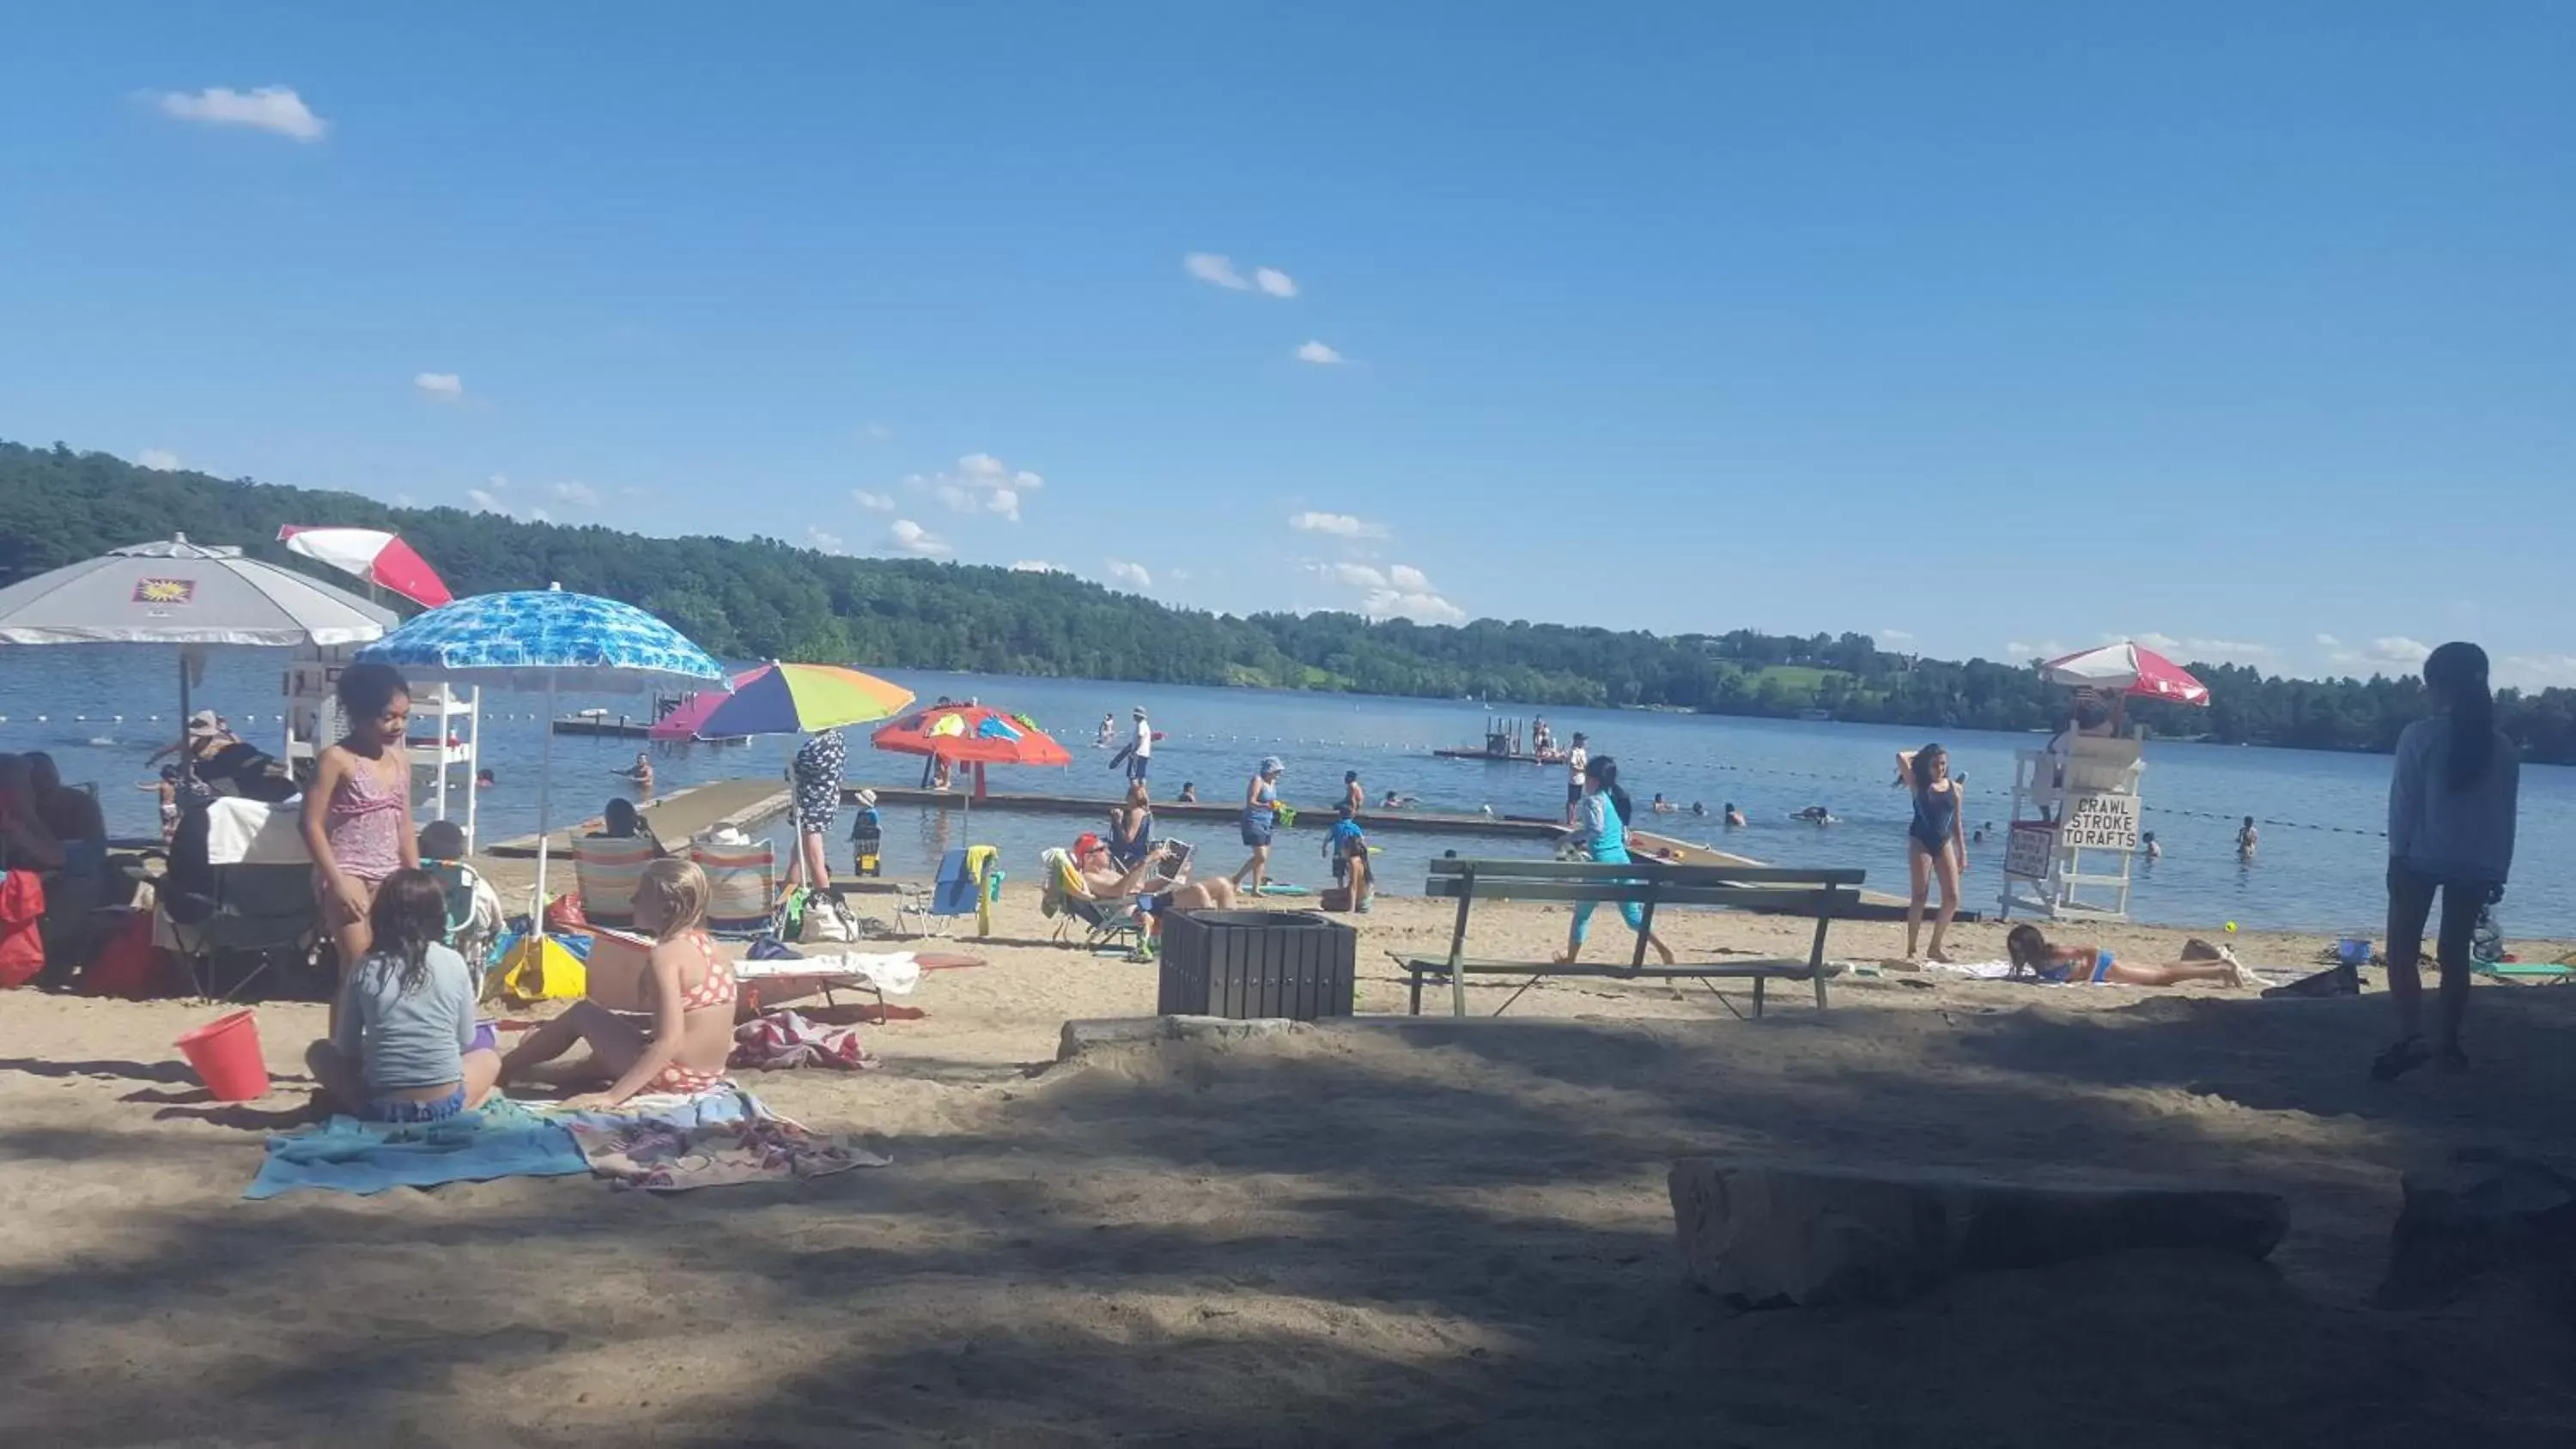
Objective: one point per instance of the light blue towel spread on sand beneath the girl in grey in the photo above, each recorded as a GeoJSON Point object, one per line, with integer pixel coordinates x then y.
{"type": "Point", "coordinates": [372, 1157]}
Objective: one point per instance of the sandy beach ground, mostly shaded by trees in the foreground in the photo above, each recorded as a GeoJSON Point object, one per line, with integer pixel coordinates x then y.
{"type": "Point", "coordinates": [1385, 1232]}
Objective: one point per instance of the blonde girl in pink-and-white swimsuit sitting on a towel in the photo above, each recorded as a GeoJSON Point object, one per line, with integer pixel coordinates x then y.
{"type": "Point", "coordinates": [692, 990]}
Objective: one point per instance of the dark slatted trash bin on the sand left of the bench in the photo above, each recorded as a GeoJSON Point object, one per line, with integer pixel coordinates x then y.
{"type": "Point", "coordinates": [1258, 964]}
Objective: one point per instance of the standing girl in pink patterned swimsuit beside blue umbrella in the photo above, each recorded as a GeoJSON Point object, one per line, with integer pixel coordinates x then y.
{"type": "Point", "coordinates": [359, 807]}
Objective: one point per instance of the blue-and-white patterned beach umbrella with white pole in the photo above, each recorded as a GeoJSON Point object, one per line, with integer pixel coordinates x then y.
{"type": "Point", "coordinates": [542, 640]}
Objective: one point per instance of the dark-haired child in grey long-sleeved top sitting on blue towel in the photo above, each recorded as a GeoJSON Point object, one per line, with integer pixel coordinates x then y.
{"type": "Point", "coordinates": [403, 1046]}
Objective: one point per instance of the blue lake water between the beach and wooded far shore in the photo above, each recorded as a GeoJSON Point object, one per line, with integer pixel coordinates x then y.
{"type": "Point", "coordinates": [2322, 858]}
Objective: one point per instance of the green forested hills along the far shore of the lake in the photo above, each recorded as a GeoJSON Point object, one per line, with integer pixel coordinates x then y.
{"type": "Point", "coordinates": [769, 601]}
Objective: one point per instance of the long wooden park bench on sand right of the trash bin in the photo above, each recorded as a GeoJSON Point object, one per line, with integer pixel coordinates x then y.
{"type": "Point", "coordinates": [1820, 894]}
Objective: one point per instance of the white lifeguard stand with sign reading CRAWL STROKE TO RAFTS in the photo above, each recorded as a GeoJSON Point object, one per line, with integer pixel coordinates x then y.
{"type": "Point", "coordinates": [2075, 830]}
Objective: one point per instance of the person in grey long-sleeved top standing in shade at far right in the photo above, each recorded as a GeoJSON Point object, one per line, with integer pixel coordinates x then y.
{"type": "Point", "coordinates": [2451, 830]}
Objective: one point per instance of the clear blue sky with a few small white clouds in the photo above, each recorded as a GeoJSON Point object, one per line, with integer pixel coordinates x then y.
{"type": "Point", "coordinates": [1980, 328]}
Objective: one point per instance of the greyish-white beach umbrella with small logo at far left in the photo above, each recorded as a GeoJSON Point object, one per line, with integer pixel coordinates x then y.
{"type": "Point", "coordinates": [189, 596]}
